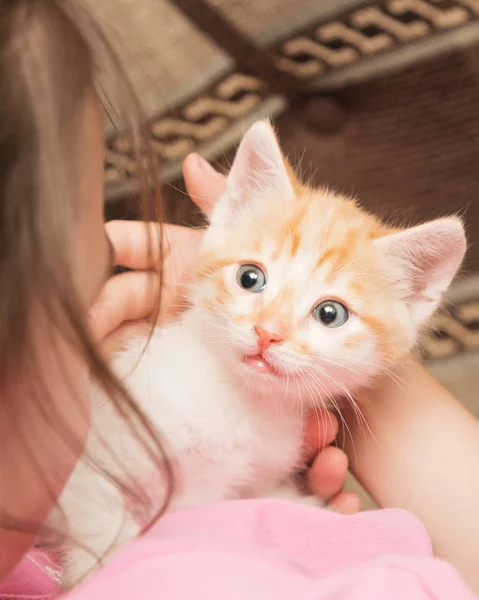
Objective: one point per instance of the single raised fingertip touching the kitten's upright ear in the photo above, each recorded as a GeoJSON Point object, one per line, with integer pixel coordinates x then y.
{"type": "Point", "coordinates": [203, 183]}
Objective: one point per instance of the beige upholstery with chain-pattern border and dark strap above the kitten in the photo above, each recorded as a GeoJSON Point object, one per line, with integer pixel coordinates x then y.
{"type": "Point", "coordinates": [259, 59]}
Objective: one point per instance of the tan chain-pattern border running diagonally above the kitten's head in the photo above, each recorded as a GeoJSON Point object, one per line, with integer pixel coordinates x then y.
{"type": "Point", "coordinates": [368, 40]}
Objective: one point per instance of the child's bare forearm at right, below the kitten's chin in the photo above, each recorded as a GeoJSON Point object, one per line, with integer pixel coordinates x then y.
{"type": "Point", "coordinates": [422, 454]}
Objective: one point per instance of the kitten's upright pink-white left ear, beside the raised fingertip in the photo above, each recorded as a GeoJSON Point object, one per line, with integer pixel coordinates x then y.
{"type": "Point", "coordinates": [259, 170]}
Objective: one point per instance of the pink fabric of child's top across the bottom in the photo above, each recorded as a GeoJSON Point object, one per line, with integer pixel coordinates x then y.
{"type": "Point", "coordinates": [274, 550]}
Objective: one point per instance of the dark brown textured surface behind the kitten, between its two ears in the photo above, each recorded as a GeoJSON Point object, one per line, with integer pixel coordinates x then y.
{"type": "Point", "coordinates": [407, 145]}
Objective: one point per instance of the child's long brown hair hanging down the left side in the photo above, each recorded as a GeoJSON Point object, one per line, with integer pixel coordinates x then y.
{"type": "Point", "coordinates": [50, 54]}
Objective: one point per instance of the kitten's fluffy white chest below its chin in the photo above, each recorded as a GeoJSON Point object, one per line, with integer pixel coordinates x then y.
{"type": "Point", "coordinates": [222, 442]}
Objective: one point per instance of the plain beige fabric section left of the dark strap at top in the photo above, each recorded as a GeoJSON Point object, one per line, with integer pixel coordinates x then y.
{"type": "Point", "coordinates": [166, 57]}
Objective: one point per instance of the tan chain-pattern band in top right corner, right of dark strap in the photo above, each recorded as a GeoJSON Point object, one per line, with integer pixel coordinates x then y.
{"type": "Point", "coordinates": [379, 34]}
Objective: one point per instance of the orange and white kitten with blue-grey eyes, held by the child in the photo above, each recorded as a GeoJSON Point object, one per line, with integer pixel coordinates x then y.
{"type": "Point", "coordinates": [299, 298]}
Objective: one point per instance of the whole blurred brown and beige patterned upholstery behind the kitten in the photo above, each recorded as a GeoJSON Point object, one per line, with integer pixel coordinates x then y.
{"type": "Point", "coordinates": [379, 99]}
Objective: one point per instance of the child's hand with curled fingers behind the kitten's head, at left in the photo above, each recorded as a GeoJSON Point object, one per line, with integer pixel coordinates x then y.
{"type": "Point", "coordinates": [130, 298]}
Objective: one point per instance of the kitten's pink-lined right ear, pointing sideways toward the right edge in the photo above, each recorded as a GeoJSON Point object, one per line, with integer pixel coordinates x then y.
{"type": "Point", "coordinates": [425, 260]}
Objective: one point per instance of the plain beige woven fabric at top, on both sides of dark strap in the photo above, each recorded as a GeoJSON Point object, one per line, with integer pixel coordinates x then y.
{"type": "Point", "coordinates": [169, 59]}
